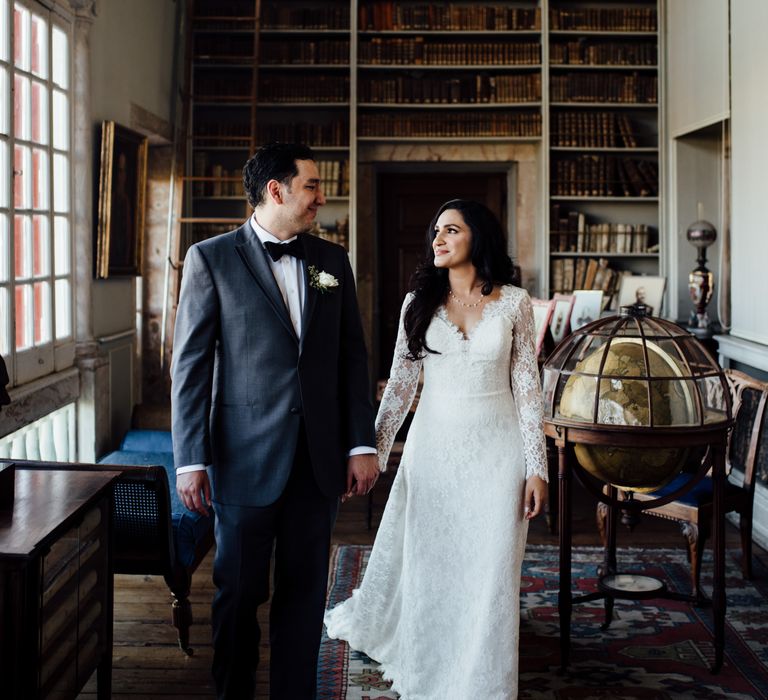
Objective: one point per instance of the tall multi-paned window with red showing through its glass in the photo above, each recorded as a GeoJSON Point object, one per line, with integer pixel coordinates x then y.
{"type": "Point", "coordinates": [36, 287]}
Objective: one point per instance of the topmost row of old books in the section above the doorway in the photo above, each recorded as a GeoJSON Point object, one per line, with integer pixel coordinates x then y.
{"type": "Point", "coordinates": [389, 15]}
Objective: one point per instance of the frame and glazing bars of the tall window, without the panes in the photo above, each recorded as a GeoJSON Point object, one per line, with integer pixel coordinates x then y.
{"type": "Point", "coordinates": [56, 353]}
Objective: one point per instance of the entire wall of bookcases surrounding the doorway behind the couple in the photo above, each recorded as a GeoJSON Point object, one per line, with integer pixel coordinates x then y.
{"type": "Point", "coordinates": [578, 79]}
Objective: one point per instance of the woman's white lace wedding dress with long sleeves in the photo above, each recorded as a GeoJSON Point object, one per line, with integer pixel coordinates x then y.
{"type": "Point", "coordinates": [439, 603]}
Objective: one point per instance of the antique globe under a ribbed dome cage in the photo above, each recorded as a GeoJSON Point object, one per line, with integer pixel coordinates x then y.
{"type": "Point", "coordinates": [640, 374]}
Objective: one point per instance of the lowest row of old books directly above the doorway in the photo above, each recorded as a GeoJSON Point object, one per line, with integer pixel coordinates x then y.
{"type": "Point", "coordinates": [462, 124]}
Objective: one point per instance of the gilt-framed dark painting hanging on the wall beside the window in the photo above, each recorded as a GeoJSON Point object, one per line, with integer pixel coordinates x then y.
{"type": "Point", "coordinates": [122, 184]}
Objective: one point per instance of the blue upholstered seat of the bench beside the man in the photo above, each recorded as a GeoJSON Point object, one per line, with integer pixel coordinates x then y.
{"type": "Point", "coordinates": [188, 528]}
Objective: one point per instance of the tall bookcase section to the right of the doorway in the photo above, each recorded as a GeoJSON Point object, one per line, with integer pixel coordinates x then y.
{"type": "Point", "coordinates": [603, 143]}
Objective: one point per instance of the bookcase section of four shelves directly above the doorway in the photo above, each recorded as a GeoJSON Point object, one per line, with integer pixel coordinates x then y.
{"type": "Point", "coordinates": [442, 71]}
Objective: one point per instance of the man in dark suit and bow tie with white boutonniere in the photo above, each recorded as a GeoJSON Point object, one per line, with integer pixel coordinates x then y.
{"type": "Point", "coordinates": [271, 393]}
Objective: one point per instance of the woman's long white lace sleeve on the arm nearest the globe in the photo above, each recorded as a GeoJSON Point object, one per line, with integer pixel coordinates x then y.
{"type": "Point", "coordinates": [526, 387]}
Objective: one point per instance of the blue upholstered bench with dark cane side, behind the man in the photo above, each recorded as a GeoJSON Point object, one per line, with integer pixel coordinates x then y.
{"type": "Point", "coordinates": [157, 513]}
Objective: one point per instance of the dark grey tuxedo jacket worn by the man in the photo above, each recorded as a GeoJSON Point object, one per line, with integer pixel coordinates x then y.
{"type": "Point", "coordinates": [242, 380]}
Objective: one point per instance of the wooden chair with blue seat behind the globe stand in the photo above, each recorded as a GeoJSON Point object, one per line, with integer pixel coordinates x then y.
{"type": "Point", "coordinates": [747, 452]}
